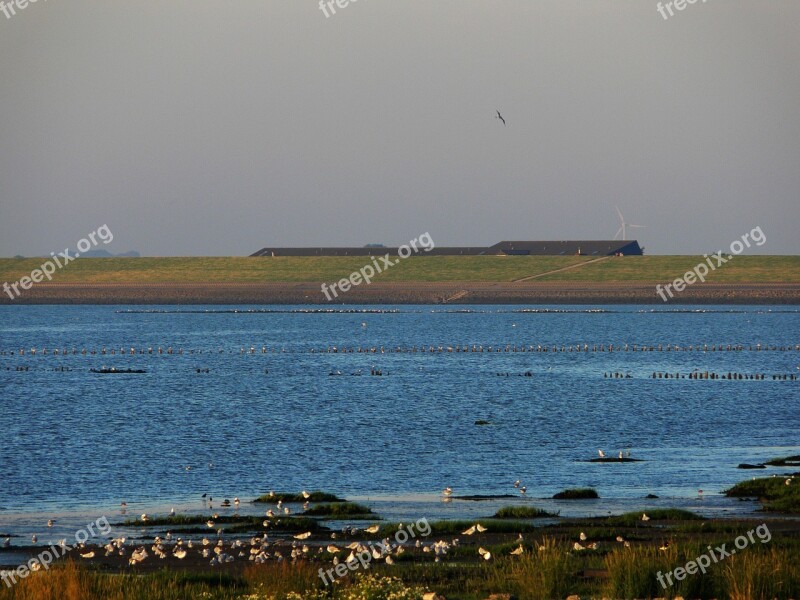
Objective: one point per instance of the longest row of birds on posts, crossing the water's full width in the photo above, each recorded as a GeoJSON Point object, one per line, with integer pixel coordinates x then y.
{"type": "Point", "coordinates": [429, 349]}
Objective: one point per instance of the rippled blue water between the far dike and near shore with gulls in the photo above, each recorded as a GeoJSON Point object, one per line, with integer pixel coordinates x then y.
{"type": "Point", "coordinates": [73, 440]}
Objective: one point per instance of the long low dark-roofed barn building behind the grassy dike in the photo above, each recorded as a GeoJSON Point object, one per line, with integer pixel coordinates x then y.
{"type": "Point", "coordinates": [520, 248]}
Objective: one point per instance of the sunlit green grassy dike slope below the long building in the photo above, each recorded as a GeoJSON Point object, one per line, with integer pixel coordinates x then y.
{"type": "Point", "coordinates": [742, 269]}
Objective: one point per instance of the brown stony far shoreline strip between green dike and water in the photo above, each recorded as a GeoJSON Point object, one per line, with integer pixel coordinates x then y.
{"type": "Point", "coordinates": [458, 293]}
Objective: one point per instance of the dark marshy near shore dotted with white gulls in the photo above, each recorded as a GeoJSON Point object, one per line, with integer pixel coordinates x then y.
{"type": "Point", "coordinates": [593, 554]}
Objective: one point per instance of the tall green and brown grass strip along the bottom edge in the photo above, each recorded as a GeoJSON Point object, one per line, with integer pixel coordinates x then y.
{"type": "Point", "coordinates": [545, 570]}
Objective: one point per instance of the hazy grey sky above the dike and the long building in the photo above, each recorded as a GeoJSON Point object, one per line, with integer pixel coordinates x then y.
{"type": "Point", "coordinates": [197, 127]}
